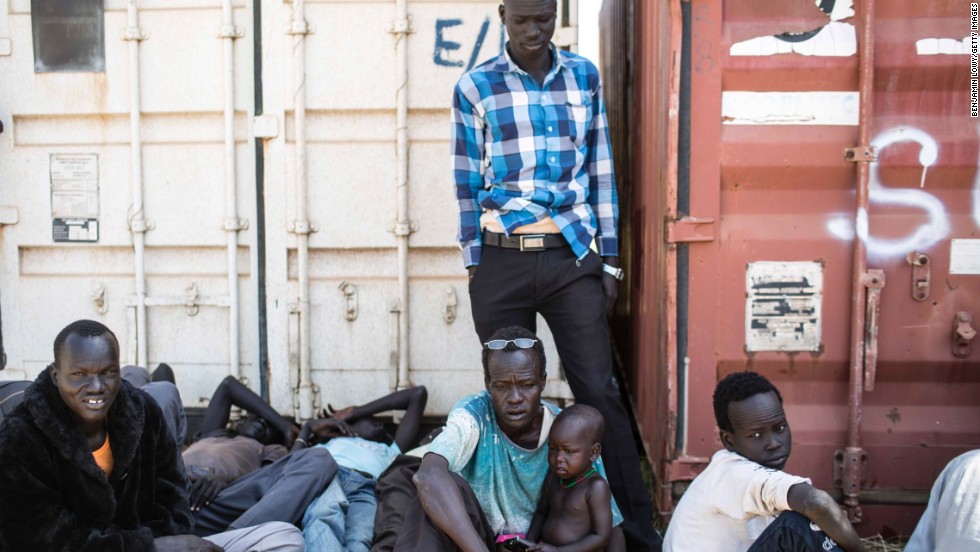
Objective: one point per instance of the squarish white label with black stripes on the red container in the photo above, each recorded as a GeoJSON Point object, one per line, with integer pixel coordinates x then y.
{"type": "Point", "coordinates": [783, 306]}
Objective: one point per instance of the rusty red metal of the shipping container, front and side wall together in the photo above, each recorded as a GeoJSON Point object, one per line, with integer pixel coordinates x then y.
{"type": "Point", "coordinates": [782, 190]}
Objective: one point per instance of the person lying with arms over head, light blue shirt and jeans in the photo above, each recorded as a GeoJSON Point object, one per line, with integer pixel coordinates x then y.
{"type": "Point", "coordinates": [342, 517]}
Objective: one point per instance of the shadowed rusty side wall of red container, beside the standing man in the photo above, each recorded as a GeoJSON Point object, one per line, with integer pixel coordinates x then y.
{"type": "Point", "coordinates": [648, 192]}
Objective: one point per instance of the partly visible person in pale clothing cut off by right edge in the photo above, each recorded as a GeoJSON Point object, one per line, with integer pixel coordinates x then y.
{"type": "Point", "coordinates": [952, 517]}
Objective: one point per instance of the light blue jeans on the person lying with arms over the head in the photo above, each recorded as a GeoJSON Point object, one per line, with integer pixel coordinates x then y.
{"type": "Point", "coordinates": [341, 519]}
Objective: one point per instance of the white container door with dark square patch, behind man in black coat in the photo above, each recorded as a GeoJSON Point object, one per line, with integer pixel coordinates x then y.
{"type": "Point", "coordinates": [125, 144]}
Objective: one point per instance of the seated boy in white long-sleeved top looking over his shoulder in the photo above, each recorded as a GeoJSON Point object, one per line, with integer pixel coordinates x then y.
{"type": "Point", "coordinates": [743, 500]}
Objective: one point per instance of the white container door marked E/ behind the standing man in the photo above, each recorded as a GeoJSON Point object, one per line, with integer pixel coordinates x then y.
{"type": "Point", "coordinates": [334, 179]}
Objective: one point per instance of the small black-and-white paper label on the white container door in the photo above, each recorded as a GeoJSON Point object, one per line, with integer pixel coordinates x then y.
{"type": "Point", "coordinates": [74, 196]}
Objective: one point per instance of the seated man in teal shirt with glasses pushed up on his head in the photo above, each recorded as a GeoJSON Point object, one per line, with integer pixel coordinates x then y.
{"type": "Point", "coordinates": [480, 480]}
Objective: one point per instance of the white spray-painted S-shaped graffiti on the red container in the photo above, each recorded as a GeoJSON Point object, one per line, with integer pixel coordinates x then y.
{"type": "Point", "coordinates": [935, 229]}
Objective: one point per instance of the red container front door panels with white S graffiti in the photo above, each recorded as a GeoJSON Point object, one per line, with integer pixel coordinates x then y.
{"type": "Point", "coordinates": [766, 281]}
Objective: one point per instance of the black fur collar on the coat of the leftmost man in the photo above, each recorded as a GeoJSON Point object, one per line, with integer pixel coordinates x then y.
{"type": "Point", "coordinates": [54, 419]}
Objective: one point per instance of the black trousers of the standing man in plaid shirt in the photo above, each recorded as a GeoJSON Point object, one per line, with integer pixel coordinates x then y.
{"type": "Point", "coordinates": [508, 289]}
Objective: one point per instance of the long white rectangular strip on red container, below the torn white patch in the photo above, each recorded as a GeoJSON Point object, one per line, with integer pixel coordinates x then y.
{"type": "Point", "coordinates": [789, 108]}
